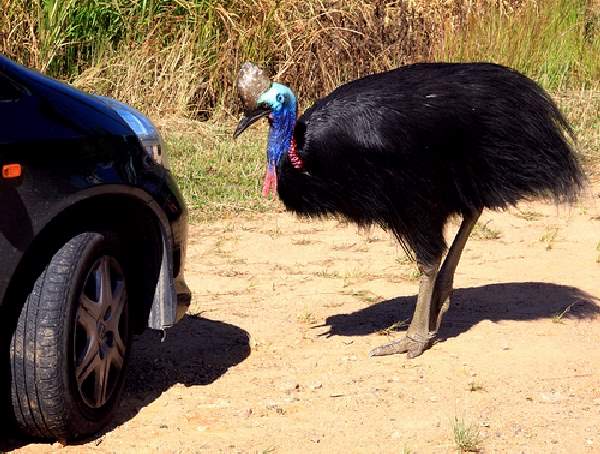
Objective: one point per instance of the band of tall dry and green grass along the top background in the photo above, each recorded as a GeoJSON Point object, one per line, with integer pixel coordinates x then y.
{"type": "Point", "coordinates": [181, 56]}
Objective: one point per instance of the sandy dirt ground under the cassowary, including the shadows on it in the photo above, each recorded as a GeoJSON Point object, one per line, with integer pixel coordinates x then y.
{"type": "Point", "coordinates": [273, 356]}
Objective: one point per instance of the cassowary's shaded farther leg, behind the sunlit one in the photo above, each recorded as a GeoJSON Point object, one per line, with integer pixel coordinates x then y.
{"type": "Point", "coordinates": [445, 278]}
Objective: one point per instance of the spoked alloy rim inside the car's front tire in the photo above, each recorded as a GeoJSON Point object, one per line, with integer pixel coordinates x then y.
{"type": "Point", "coordinates": [100, 330]}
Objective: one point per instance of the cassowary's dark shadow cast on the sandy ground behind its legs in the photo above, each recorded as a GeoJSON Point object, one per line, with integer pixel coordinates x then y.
{"type": "Point", "coordinates": [520, 301]}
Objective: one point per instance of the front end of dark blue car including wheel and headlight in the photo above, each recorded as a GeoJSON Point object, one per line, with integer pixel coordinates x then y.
{"type": "Point", "coordinates": [92, 242]}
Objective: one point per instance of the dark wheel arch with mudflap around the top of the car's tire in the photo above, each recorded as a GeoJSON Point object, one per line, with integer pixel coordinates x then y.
{"type": "Point", "coordinates": [138, 220]}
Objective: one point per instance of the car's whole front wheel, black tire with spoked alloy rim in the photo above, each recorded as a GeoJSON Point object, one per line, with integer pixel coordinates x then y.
{"type": "Point", "coordinates": [70, 349]}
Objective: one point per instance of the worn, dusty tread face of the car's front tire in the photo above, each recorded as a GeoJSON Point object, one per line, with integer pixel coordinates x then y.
{"type": "Point", "coordinates": [37, 386]}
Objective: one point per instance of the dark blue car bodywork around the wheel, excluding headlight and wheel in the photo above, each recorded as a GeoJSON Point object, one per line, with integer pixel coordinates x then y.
{"type": "Point", "coordinates": [72, 148]}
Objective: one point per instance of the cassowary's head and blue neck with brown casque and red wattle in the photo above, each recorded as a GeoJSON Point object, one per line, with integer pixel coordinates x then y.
{"type": "Point", "coordinates": [260, 97]}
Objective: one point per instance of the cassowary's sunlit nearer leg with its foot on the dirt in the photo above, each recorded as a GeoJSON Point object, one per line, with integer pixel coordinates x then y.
{"type": "Point", "coordinates": [418, 336]}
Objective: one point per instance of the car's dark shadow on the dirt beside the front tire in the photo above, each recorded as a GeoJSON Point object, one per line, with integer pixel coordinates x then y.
{"type": "Point", "coordinates": [196, 351]}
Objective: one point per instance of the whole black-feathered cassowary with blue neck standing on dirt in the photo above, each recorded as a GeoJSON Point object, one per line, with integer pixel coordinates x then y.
{"type": "Point", "coordinates": [410, 148]}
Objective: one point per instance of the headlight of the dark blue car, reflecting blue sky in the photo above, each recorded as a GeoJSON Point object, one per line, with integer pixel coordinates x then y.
{"type": "Point", "coordinates": [143, 128]}
